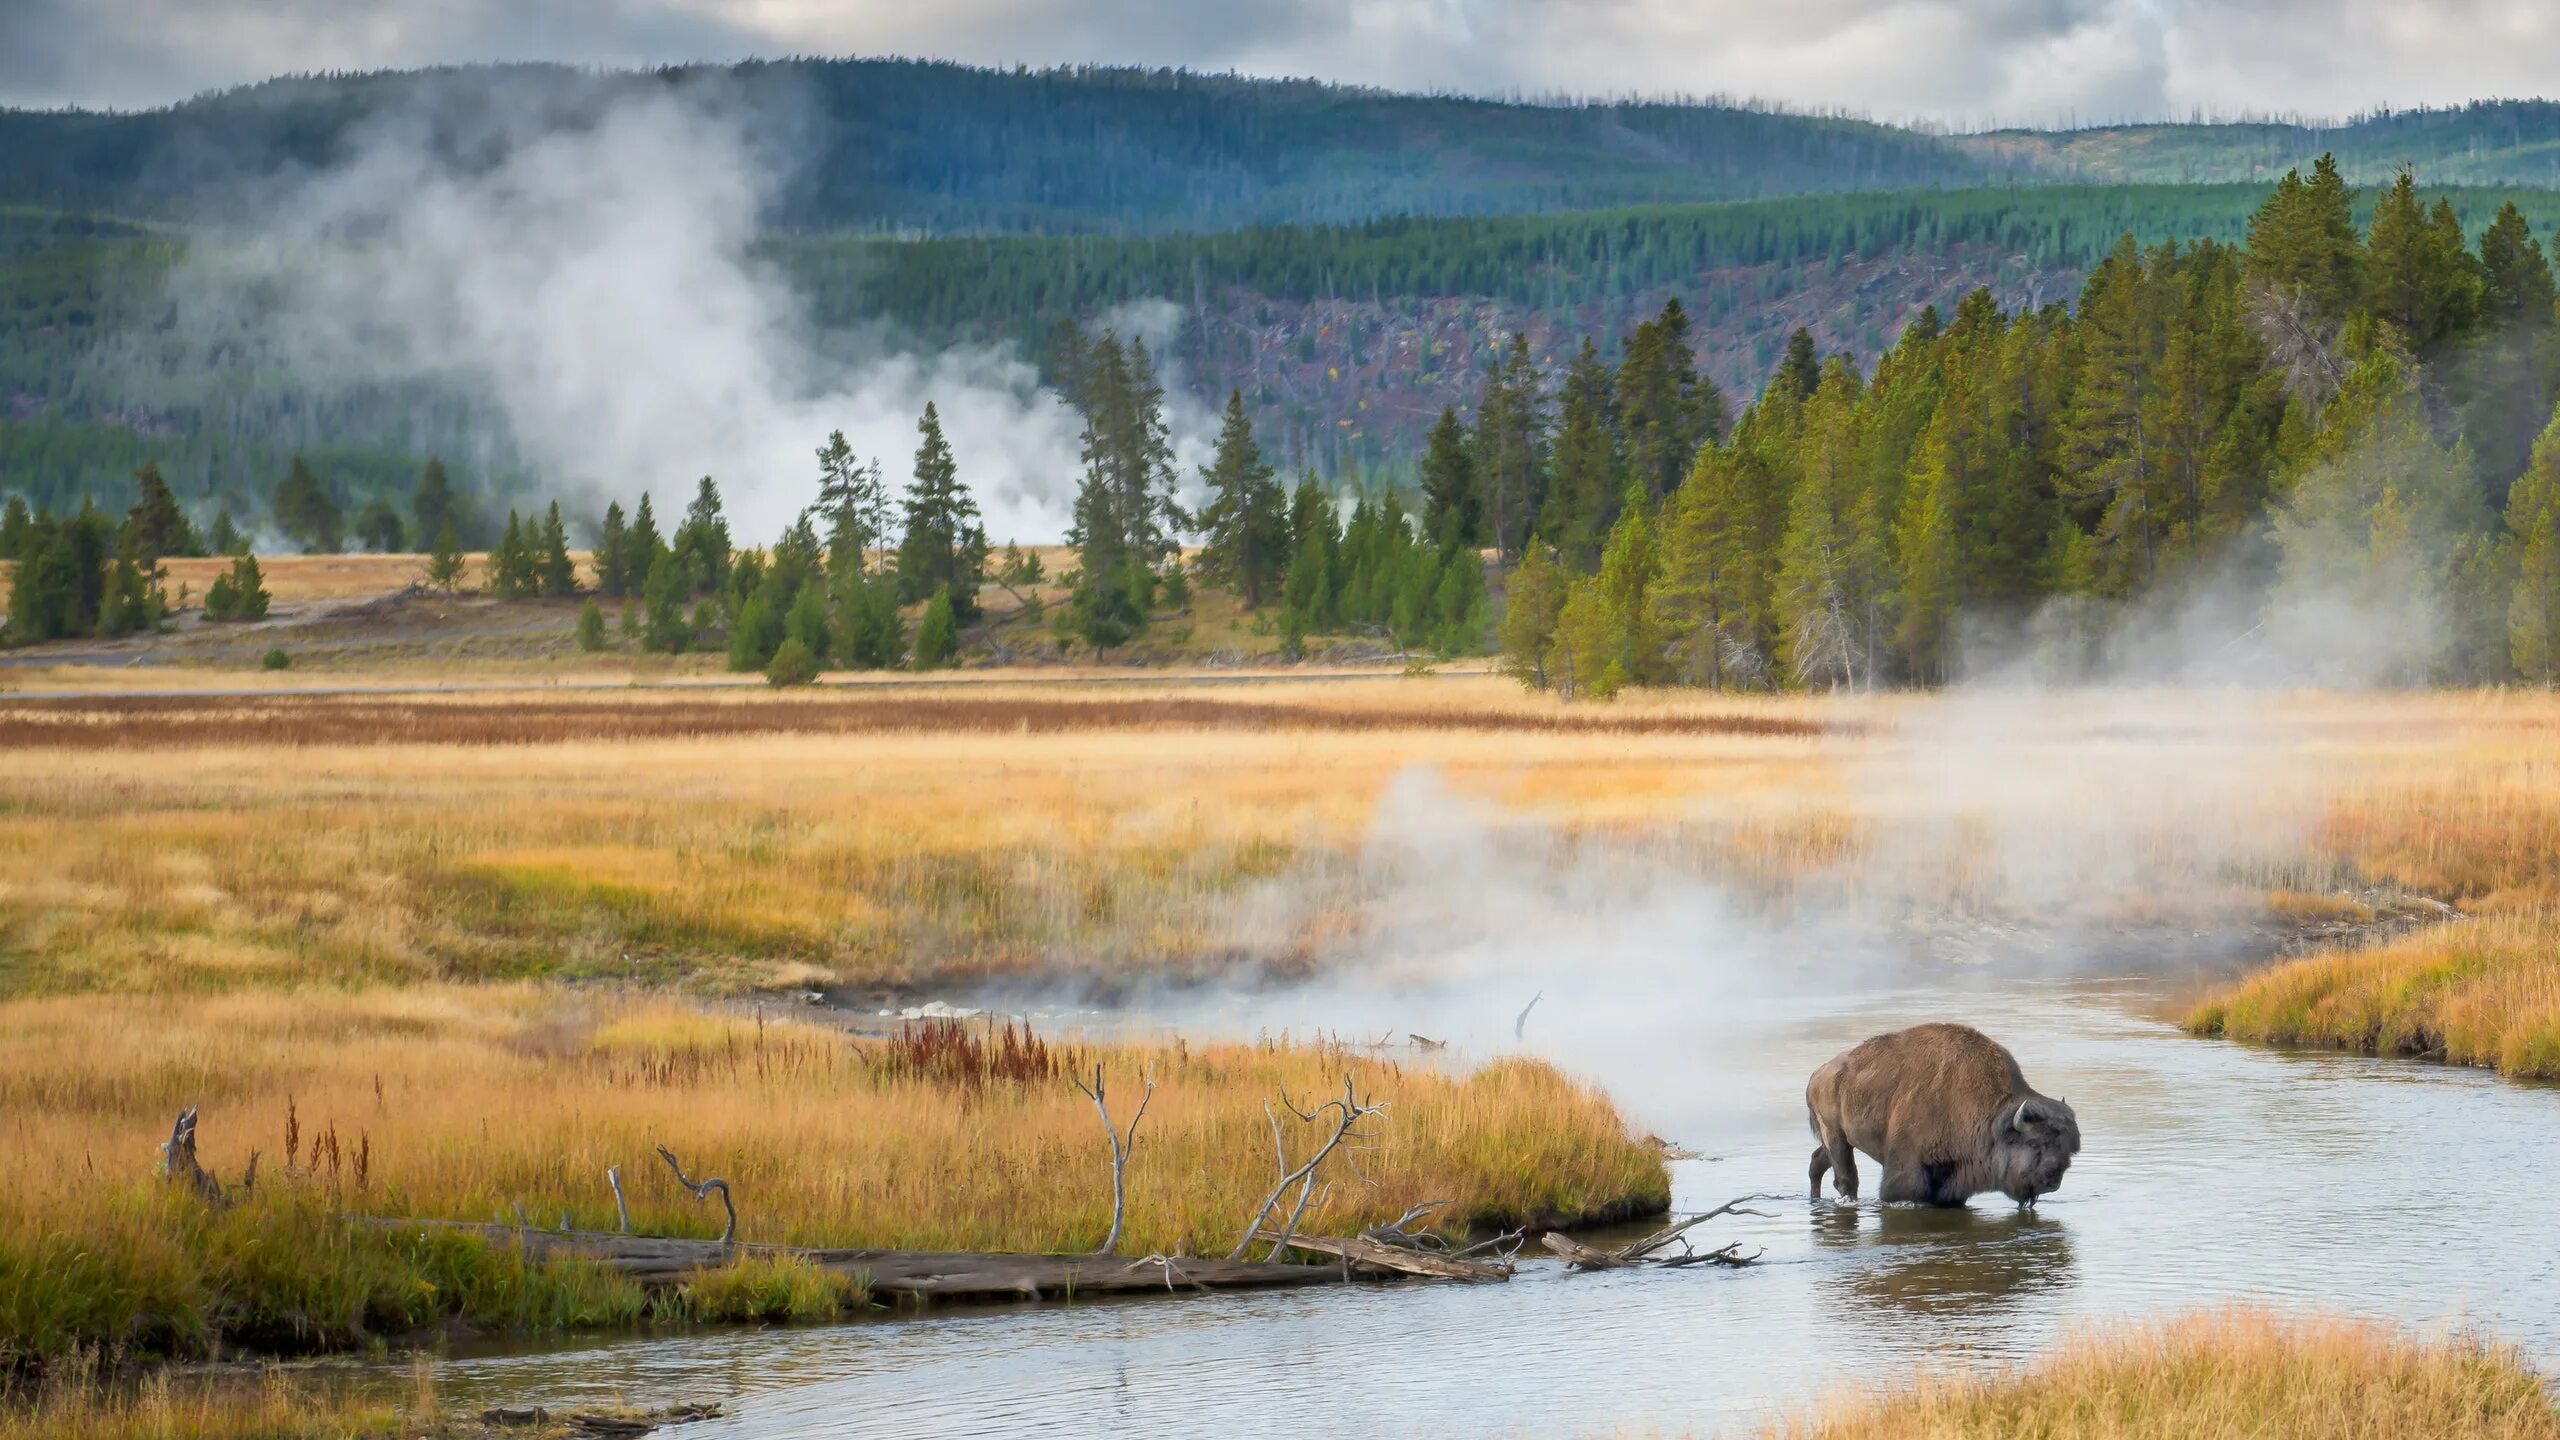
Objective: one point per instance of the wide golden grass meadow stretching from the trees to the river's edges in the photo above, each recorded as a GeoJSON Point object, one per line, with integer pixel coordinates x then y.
{"type": "Point", "coordinates": [495, 942]}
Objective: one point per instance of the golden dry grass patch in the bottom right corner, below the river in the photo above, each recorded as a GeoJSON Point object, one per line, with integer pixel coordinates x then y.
{"type": "Point", "coordinates": [2218, 1377]}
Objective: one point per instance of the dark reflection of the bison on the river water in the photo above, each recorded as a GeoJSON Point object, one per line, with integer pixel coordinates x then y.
{"type": "Point", "coordinates": [1942, 1264]}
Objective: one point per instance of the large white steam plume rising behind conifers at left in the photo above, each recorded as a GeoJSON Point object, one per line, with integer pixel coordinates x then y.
{"type": "Point", "coordinates": [595, 291]}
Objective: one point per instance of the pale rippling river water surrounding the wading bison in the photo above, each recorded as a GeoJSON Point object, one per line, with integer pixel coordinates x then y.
{"type": "Point", "coordinates": [2211, 1175]}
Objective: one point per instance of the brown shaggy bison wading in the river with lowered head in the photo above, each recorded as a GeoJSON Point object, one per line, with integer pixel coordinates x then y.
{"type": "Point", "coordinates": [1944, 1111]}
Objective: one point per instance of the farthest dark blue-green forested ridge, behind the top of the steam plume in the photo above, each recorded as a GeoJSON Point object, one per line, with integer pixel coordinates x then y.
{"type": "Point", "coordinates": [884, 145]}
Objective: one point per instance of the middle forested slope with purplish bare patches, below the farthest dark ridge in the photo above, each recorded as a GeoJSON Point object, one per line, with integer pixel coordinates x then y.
{"type": "Point", "coordinates": [1345, 340]}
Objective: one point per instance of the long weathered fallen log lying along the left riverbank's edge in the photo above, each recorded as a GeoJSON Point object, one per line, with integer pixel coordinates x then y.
{"type": "Point", "coordinates": [925, 1275]}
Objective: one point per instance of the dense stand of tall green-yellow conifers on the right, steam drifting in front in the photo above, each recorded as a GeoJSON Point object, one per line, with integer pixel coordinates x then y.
{"type": "Point", "coordinates": [2339, 414]}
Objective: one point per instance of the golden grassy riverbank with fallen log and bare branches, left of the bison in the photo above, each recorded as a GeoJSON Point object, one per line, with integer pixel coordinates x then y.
{"type": "Point", "coordinates": [529, 1103]}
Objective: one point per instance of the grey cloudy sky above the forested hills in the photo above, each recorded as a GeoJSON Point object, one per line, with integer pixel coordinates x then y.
{"type": "Point", "coordinates": [1962, 63]}
